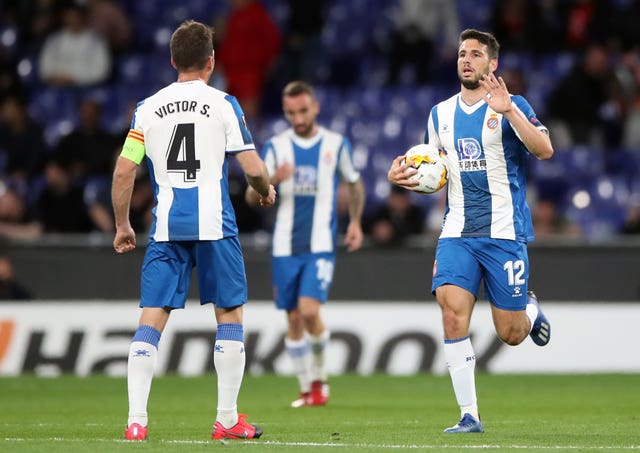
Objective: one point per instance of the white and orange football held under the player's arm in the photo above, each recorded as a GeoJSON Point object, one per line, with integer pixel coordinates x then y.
{"type": "Point", "coordinates": [432, 170]}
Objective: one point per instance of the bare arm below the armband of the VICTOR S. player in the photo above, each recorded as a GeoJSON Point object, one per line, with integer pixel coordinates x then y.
{"type": "Point", "coordinates": [124, 177]}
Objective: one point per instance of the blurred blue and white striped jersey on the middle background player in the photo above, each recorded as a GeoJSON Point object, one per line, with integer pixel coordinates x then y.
{"type": "Point", "coordinates": [306, 219]}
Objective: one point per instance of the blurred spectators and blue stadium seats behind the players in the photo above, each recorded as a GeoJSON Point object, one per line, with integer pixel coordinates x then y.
{"type": "Point", "coordinates": [72, 72]}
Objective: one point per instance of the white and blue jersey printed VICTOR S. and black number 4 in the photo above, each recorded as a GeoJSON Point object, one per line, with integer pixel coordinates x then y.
{"type": "Point", "coordinates": [187, 129]}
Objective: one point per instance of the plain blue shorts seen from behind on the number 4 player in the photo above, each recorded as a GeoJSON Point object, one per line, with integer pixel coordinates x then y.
{"type": "Point", "coordinates": [167, 266]}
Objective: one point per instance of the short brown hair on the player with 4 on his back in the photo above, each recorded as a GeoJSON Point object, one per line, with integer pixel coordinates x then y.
{"type": "Point", "coordinates": [191, 45]}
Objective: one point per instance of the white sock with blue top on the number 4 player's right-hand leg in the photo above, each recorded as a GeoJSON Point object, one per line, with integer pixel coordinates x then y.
{"type": "Point", "coordinates": [229, 360]}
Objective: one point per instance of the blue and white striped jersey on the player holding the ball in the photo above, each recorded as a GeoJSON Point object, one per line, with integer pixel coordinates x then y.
{"type": "Point", "coordinates": [486, 161]}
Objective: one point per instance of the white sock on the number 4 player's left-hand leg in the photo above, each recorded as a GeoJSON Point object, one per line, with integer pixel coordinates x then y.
{"type": "Point", "coordinates": [140, 366]}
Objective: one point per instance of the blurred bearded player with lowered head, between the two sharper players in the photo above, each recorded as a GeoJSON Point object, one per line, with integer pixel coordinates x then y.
{"type": "Point", "coordinates": [306, 162]}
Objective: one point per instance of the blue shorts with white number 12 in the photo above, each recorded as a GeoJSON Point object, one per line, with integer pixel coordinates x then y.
{"type": "Point", "coordinates": [502, 264]}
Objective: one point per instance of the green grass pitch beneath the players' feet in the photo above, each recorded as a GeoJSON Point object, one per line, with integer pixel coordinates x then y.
{"type": "Point", "coordinates": [366, 413]}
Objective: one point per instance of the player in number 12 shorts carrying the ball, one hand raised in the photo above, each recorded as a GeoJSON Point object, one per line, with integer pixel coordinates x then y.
{"type": "Point", "coordinates": [486, 134]}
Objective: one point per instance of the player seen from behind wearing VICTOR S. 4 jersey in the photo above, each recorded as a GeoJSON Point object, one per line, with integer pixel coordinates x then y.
{"type": "Point", "coordinates": [186, 130]}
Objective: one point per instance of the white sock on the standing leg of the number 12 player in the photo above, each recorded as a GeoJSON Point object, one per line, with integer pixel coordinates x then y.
{"type": "Point", "coordinates": [461, 362]}
